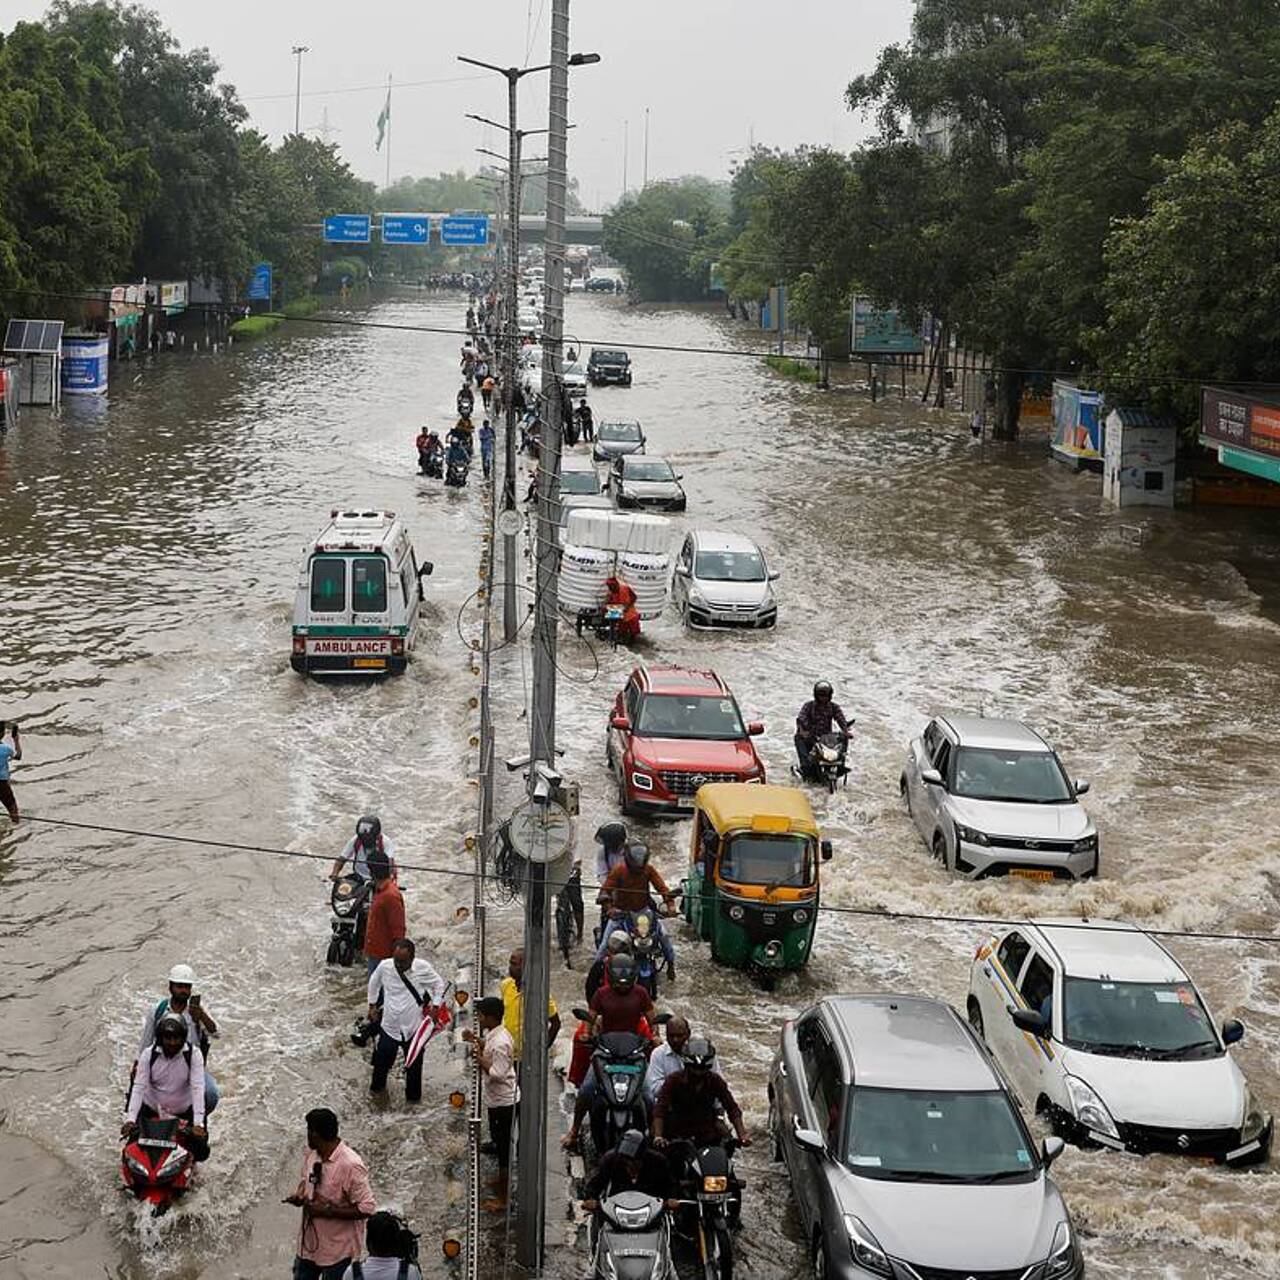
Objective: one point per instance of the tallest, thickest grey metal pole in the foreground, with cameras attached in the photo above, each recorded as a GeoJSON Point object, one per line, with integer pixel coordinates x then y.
{"type": "Point", "coordinates": [532, 1169]}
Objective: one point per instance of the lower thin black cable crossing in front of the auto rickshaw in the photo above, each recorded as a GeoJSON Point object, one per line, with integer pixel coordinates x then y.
{"type": "Point", "coordinates": [879, 913]}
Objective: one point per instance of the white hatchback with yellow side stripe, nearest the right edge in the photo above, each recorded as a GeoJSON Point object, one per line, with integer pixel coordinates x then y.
{"type": "Point", "coordinates": [1103, 1031]}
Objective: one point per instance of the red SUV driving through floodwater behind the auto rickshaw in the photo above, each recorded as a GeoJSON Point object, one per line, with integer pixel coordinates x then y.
{"type": "Point", "coordinates": [674, 730]}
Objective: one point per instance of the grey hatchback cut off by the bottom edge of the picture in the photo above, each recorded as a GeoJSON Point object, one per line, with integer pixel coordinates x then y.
{"type": "Point", "coordinates": [908, 1155]}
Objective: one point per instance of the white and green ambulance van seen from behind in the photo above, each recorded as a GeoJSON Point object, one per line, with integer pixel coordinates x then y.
{"type": "Point", "coordinates": [359, 598]}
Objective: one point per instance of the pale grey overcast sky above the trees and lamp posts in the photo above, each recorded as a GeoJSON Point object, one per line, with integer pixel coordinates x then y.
{"type": "Point", "coordinates": [714, 75]}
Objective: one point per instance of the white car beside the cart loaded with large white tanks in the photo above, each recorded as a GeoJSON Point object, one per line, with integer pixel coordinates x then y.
{"type": "Point", "coordinates": [723, 580]}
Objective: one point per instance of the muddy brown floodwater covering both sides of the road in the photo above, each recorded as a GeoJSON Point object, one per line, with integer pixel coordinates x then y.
{"type": "Point", "coordinates": [148, 560]}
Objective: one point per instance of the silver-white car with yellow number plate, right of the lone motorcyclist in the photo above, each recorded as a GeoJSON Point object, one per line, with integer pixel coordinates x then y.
{"type": "Point", "coordinates": [991, 798]}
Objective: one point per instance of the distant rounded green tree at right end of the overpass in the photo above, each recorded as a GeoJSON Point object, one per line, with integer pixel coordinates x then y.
{"type": "Point", "coordinates": [668, 237]}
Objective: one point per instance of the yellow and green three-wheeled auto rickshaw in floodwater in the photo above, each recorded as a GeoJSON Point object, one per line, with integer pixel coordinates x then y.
{"type": "Point", "coordinates": [753, 881]}
